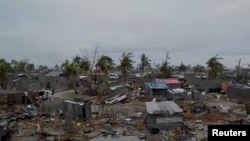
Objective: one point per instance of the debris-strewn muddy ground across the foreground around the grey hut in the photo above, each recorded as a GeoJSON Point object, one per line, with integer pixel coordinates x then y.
{"type": "Point", "coordinates": [116, 120]}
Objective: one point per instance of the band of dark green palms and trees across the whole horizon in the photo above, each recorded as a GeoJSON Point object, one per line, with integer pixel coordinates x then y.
{"type": "Point", "coordinates": [79, 65]}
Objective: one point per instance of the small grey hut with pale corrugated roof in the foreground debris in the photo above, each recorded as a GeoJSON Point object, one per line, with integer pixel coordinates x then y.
{"type": "Point", "coordinates": [164, 115]}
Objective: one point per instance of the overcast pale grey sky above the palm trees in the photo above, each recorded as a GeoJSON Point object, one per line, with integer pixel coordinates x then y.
{"type": "Point", "coordinates": [50, 31]}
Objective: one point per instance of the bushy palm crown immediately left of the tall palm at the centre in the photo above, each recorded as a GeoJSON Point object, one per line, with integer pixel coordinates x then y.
{"type": "Point", "coordinates": [105, 64]}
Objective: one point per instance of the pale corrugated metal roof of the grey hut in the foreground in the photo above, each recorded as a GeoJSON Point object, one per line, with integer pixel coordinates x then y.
{"type": "Point", "coordinates": [162, 107]}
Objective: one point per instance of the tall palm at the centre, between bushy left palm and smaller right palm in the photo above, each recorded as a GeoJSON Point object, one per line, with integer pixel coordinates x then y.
{"type": "Point", "coordinates": [126, 63]}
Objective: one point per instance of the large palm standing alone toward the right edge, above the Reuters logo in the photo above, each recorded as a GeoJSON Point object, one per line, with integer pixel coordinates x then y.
{"type": "Point", "coordinates": [215, 68]}
